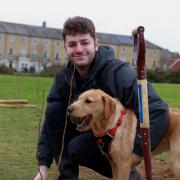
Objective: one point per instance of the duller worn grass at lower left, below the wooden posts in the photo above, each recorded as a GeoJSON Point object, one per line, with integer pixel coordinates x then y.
{"type": "Point", "coordinates": [18, 136]}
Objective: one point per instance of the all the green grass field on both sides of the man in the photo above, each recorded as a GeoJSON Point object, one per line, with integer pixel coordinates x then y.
{"type": "Point", "coordinates": [19, 127]}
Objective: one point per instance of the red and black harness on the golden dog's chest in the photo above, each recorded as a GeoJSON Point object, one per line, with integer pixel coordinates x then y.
{"type": "Point", "coordinates": [104, 139]}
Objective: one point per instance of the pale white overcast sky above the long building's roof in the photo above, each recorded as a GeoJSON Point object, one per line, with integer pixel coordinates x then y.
{"type": "Point", "coordinates": [159, 17]}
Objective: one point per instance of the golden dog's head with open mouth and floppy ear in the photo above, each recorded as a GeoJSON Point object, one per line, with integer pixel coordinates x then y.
{"type": "Point", "coordinates": [92, 110]}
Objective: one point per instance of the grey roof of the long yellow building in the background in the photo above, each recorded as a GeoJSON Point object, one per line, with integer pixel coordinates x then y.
{"type": "Point", "coordinates": [54, 33]}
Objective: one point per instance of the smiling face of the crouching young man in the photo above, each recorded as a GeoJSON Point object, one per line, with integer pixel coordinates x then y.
{"type": "Point", "coordinates": [80, 49]}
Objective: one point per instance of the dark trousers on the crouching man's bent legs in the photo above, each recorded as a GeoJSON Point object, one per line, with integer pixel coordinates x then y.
{"type": "Point", "coordinates": [83, 150]}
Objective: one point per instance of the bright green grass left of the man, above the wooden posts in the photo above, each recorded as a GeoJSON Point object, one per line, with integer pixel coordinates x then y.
{"type": "Point", "coordinates": [20, 87]}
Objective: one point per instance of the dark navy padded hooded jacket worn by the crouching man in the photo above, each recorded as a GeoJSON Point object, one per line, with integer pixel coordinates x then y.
{"type": "Point", "coordinates": [114, 77]}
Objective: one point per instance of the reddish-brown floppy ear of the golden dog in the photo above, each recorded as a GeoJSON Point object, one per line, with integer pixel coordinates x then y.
{"type": "Point", "coordinates": [109, 106]}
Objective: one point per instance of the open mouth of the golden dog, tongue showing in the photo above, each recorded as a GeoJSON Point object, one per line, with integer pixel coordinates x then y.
{"type": "Point", "coordinates": [81, 122]}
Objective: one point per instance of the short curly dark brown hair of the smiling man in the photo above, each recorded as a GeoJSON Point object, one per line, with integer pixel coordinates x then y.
{"type": "Point", "coordinates": [77, 24]}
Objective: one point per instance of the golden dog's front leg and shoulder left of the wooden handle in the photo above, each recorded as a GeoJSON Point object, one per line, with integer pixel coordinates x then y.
{"type": "Point", "coordinates": [122, 147]}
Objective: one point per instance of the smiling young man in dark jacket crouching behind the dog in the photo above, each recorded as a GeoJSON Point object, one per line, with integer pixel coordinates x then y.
{"type": "Point", "coordinates": [90, 66]}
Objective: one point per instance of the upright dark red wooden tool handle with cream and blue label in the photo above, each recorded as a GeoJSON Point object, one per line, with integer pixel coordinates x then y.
{"type": "Point", "coordinates": [139, 48]}
